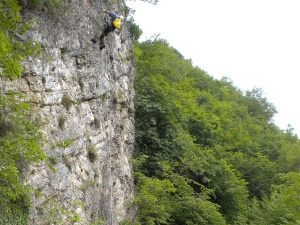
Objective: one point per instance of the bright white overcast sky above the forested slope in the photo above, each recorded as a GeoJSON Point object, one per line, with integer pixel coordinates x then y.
{"type": "Point", "coordinates": [256, 43]}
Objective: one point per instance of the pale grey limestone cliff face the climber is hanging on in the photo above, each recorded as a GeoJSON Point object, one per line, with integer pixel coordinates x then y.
{"type": "Point", "coordinates": [85, 96]}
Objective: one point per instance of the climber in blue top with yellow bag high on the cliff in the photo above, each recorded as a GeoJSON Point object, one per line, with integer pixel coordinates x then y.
{"type": "Point", "coordinates": [115, 23]}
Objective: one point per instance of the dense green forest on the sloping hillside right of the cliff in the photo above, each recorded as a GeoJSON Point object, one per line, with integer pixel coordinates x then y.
{"type": "Point", "coordinates": [207, 153]}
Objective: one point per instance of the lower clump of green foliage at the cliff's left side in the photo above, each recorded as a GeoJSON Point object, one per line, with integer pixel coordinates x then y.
{"type": "Point", "coordinates": [20, 144]}
